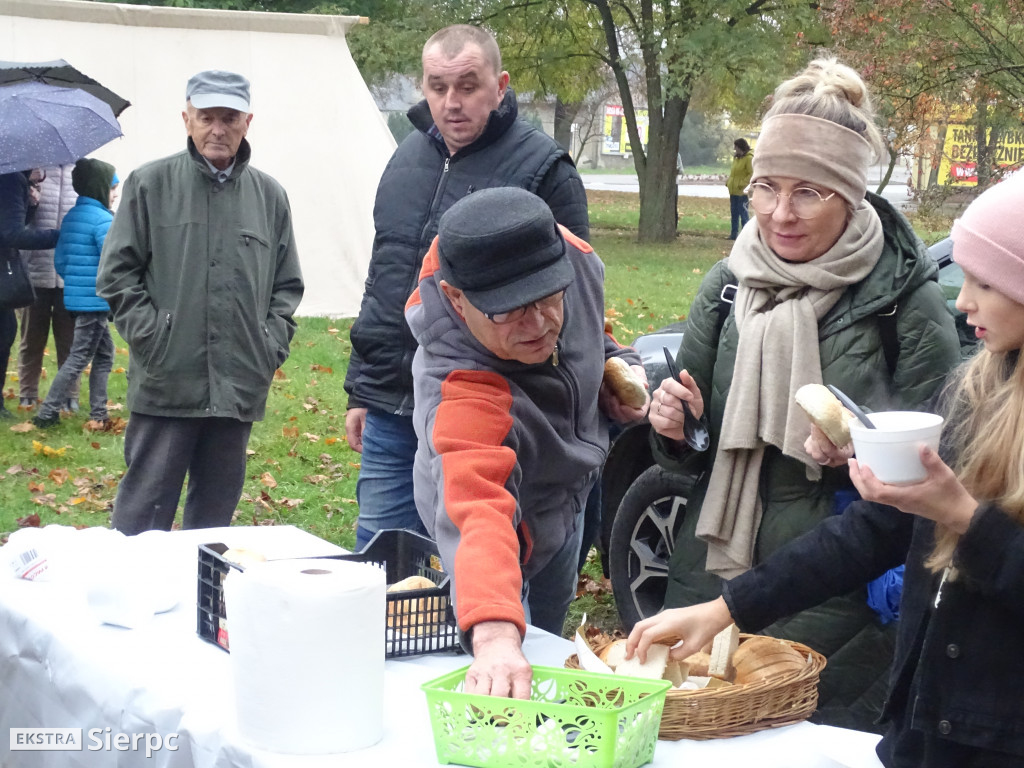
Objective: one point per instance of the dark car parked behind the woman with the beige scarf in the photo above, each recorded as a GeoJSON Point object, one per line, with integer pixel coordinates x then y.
{"type": "Point", "coordinates": [644, 505]}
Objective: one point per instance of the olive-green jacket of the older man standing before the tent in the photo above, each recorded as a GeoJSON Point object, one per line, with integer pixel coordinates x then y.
{"type": "Point", "coordinates": [203, 278]}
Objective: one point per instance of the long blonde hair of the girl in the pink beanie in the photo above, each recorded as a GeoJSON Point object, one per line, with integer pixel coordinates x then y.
{"type": "Point", "coordinates": [987, 418]}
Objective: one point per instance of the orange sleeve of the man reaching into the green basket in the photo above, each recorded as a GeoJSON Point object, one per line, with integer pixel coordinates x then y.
{"type": "Point", "coordinates": [471, 428]}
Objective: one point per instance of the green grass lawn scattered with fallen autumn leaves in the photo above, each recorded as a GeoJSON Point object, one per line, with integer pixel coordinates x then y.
{"type": "Point", "coordinates": [302, 472]}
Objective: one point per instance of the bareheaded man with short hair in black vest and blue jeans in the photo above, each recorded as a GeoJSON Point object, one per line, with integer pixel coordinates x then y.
{"type": "Point", "coordinates": [468, 138]}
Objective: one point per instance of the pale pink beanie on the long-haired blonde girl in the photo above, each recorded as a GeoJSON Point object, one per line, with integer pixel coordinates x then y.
{"type": "Point", "coordinates": [989, 239]}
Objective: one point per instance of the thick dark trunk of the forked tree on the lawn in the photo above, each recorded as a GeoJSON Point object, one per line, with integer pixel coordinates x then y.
{"type": "Point", "coordinates": [659, 191]}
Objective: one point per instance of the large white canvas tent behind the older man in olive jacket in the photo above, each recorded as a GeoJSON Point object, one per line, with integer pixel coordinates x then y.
{"type": "Point", "coordinates": [316, 127]}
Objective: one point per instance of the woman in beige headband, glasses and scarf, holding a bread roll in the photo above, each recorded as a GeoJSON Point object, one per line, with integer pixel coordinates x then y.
{"type": "Point", "coordinates": [829, 285]}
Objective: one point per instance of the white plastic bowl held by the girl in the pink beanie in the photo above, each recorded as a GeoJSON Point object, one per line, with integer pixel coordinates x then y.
{"type": "Point", "coordinates": [892, 450]}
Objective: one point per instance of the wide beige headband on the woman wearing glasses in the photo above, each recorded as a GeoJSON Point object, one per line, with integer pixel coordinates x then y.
{"type": "Point", "coordinates": [814, 150]}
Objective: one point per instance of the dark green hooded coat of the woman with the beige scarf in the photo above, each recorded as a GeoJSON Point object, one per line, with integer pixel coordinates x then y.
{"type": "Point", "coordinates": [860, 649]}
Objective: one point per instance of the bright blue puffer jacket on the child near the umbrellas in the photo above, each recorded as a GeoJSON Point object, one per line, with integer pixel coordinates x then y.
{"type": "Point", "coordinates": [77, 257]}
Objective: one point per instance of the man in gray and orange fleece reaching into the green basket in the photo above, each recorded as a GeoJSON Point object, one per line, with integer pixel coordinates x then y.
{"type": "Point", "coordinates": [510, 417]}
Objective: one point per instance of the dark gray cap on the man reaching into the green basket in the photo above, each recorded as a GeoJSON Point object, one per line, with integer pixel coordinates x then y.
{"type": "Point", "coordinates": [503, 249]}
